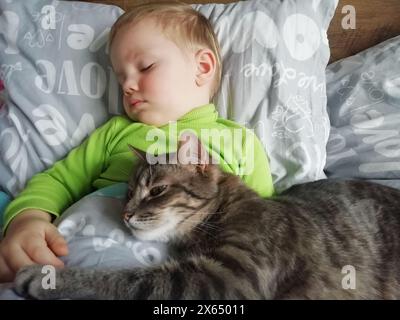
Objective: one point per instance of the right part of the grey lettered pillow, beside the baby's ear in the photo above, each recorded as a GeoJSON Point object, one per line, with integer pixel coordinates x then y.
{"type": "Point", "coordinates": [274, 58]}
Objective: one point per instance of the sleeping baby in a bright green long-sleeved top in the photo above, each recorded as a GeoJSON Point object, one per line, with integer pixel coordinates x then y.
{"type": "Point", "coordinates": [167, 61]}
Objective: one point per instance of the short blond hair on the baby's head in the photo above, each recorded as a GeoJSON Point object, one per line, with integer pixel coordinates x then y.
{"type": "Point", "coordinates": [182, 24]}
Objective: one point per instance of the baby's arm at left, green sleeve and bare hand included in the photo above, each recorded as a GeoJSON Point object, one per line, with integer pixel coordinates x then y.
{"type": "Point", "coordinates": [30, 237]}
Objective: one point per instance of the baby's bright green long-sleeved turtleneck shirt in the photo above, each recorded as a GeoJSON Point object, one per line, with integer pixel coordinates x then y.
{"type": "Point", "coordinates": [104, 159]}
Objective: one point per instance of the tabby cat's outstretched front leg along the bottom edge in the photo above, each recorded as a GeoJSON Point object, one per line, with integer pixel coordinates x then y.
{"type": "Point", "coordinates": [197, 277]}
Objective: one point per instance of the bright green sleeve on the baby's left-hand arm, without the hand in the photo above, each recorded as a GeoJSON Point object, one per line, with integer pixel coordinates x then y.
{"type": "Point", "coordinates": [67, 180]}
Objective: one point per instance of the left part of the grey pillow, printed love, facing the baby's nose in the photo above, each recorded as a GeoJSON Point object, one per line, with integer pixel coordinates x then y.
{"type": "Point", "coordinates": [56, 71]}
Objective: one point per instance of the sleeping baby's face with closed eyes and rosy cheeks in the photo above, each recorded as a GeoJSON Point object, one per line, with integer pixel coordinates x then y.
{"type": "Point", "coordinates": [157, 77]}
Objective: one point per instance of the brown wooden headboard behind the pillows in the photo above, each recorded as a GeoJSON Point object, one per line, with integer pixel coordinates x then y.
{"type": "Point", "coordinates": [376, 21]}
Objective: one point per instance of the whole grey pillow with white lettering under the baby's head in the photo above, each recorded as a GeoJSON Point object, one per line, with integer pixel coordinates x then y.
{"type": "Point", "coordinates": [61, 86]}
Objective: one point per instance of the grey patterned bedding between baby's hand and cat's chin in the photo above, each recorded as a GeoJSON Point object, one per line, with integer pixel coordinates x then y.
{"type": "Point", "coordinates": [97, 236]}
